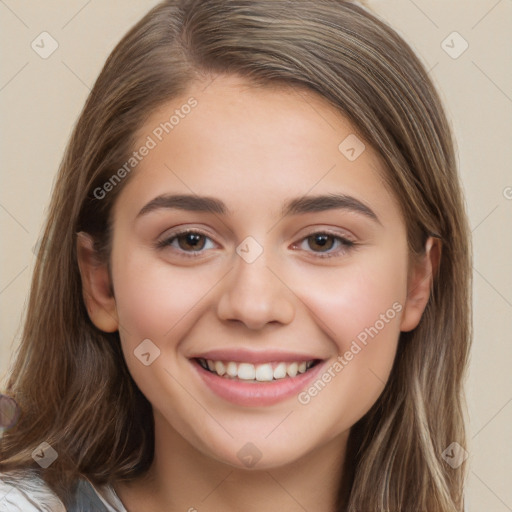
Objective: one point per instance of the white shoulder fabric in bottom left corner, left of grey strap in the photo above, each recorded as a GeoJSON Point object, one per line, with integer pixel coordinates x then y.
{"type": "Point", "coordinates": [25, 491]}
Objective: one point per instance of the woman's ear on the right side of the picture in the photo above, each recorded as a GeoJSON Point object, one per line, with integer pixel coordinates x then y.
{"type": "Point", "coordinates": [419, 285]}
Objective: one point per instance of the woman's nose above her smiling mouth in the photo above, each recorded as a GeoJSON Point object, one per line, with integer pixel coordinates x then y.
{"type": "Point", "coordinates": [254, 295]}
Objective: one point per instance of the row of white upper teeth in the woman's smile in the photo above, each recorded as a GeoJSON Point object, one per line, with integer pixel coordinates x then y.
{"type": "Point", "coordinates": [262, 372]}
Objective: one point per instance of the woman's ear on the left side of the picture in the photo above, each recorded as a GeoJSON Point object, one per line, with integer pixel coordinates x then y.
{"type": "Point", "coordinates": [96, 285]}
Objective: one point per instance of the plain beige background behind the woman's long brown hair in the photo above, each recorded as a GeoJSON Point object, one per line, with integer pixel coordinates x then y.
{"type": "Point", "coordinates": [40, 100]}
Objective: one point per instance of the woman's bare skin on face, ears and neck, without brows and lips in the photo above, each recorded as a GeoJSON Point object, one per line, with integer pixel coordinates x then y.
{"type": "Point", "coordinates": [254, 149]}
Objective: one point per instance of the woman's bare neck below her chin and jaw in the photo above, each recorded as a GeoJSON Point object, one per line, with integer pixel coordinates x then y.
{"type": "Point", "coordinates": [181, 478]}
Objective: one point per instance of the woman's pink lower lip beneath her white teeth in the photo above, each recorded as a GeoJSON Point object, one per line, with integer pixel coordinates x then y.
{"type": "Point", "coordinates": [256, 394]}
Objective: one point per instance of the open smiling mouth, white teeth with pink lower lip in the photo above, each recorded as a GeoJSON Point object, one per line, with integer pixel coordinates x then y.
{"type": "Point", "coordinates": [257, 383]}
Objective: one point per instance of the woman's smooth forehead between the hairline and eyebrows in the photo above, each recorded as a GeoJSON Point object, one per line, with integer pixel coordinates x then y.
{"type": "Point", "coordinates": [253, 146]}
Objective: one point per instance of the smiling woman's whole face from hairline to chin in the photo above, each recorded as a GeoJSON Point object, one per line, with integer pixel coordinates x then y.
{"type": "Point", "coordinates": [260, 273]}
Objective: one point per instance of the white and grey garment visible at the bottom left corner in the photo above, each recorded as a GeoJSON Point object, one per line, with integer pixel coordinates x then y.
{"type": "Point", "coordinates": [25, 491]}
